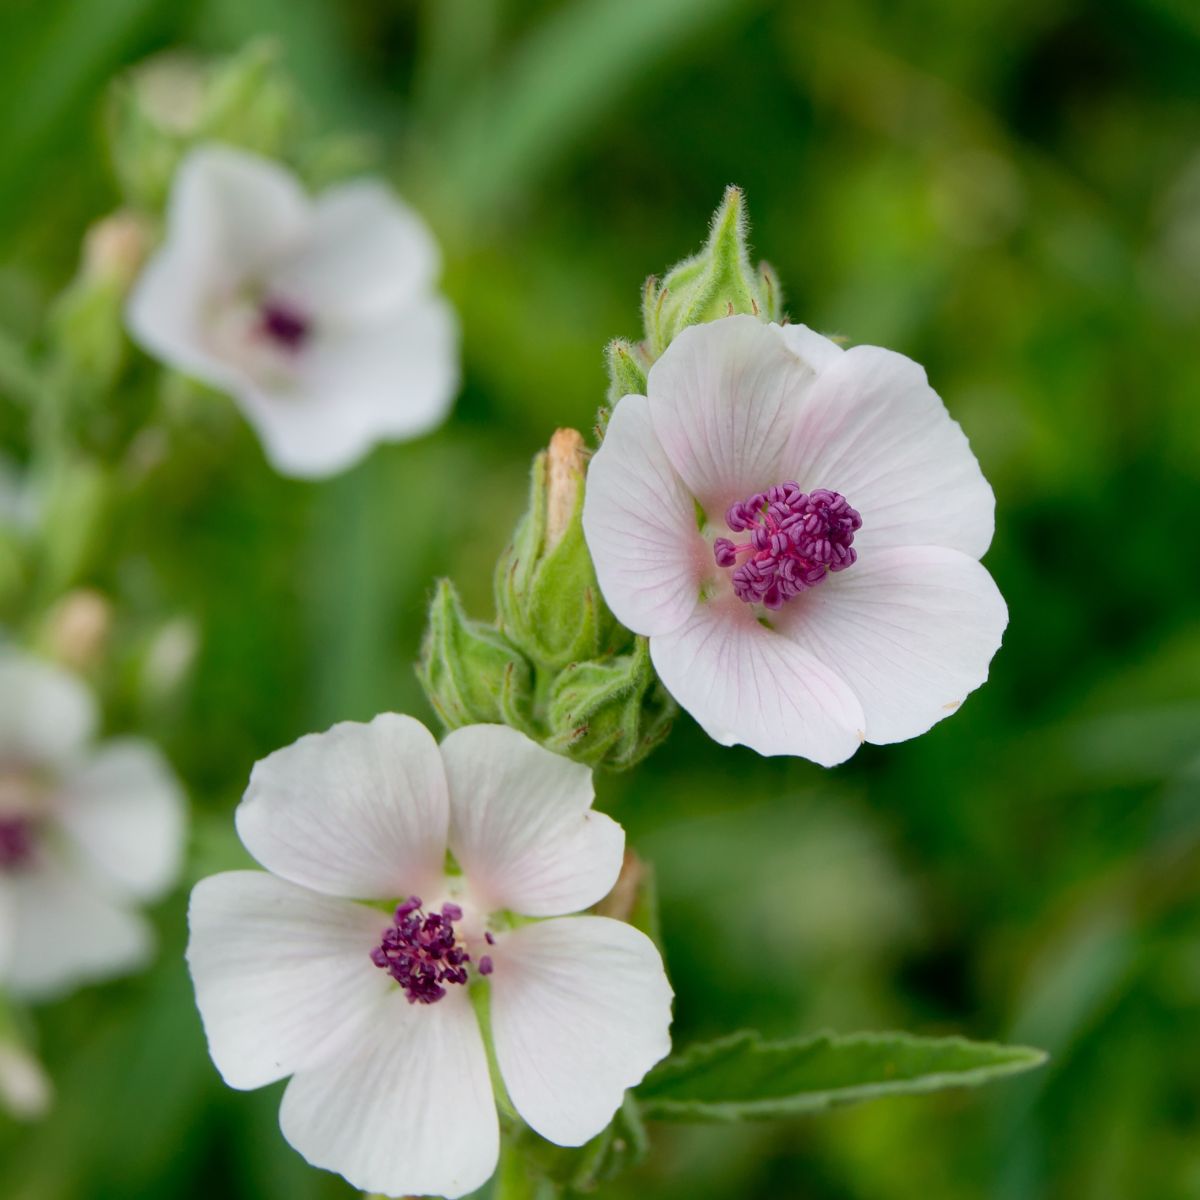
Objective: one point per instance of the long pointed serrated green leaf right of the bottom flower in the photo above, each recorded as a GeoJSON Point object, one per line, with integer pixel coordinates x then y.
{"type": "Point", "coordinates": [743, 1077]}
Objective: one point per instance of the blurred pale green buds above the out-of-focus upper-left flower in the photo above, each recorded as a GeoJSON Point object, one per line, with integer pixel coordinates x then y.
{"type": "Point", "coordinates": [165, 106]}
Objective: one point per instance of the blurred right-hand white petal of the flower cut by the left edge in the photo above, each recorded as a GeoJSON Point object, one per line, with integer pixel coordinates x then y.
{"type": "Point", "coordinates": [127, 814]}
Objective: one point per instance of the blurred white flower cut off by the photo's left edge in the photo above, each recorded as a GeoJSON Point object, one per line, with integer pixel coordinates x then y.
{"type": "Point", "coordinates": [85, 836]}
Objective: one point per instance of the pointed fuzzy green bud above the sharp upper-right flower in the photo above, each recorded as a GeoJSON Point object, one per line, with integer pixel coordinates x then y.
{"type": "Point", "coordinates": [717, 283]}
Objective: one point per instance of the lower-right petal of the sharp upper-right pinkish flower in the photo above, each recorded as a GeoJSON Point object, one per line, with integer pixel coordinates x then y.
{"type": "Point", "coordinates": [913, 631]}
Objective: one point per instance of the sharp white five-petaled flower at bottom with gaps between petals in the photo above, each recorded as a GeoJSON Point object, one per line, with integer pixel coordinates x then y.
{"type": "Point", "coordinates": [369, 1012]}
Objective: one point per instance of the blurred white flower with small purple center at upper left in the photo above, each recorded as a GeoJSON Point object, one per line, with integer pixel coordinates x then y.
{"type": "Point", "coordinates": [319, 315]}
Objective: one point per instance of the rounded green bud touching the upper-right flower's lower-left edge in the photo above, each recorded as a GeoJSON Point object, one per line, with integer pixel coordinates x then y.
{"type": "Point", "coordinates": [614, 712]}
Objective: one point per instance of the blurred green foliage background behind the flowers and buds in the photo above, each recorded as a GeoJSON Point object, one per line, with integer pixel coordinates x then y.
{"type": "Point", "coordinates": [1006, 190]}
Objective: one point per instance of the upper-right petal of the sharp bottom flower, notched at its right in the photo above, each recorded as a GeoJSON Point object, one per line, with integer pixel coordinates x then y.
{"type": "Point", "coordinates": [523, 827]}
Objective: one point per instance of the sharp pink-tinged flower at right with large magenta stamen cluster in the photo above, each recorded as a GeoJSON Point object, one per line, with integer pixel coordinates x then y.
{"type": "Point", "coordinates": [797, 530]}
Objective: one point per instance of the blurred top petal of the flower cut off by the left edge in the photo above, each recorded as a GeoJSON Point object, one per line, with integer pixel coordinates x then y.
{"type": "Point", "coordinates": [46, 715]}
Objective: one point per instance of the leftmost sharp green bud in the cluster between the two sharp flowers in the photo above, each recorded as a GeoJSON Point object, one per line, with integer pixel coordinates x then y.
{"type": "Point", "coordinates": [470, 671]}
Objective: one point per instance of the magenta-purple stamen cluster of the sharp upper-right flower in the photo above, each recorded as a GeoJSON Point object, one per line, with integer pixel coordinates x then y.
{"type": "Point", "coordinates": [796, 541]}
